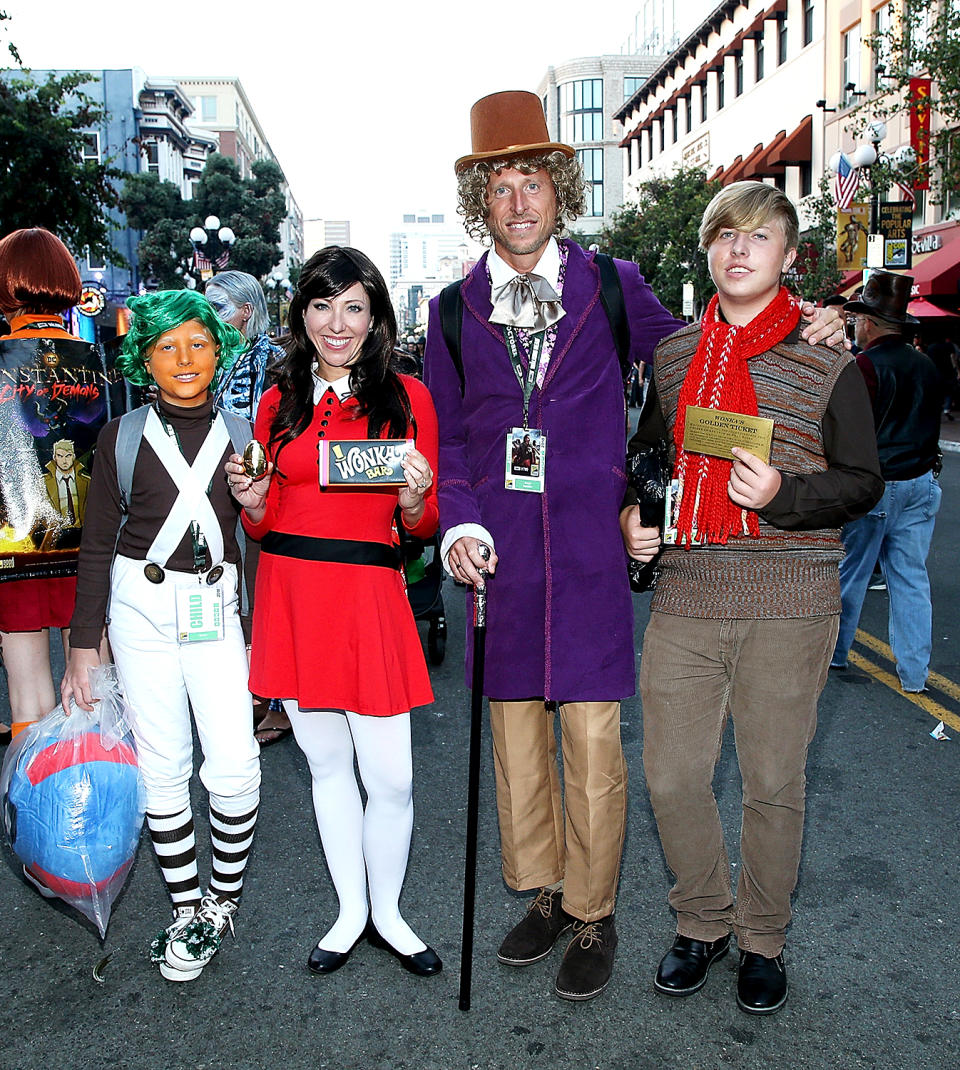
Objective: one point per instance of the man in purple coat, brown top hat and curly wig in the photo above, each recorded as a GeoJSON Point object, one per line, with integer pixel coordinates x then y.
{"type": "Point", "coordinates": [540, 360]}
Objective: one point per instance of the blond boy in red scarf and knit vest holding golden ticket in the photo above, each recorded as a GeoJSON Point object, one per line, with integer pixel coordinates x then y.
{"type": "Point", "coordinates": [745, 615]}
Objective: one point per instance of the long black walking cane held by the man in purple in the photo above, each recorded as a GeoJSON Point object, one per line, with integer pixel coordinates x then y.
{"type": "Point", "coordinates": [477, 714]}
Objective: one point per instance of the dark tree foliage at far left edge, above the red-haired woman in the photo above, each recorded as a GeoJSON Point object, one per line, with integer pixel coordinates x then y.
{"type": "Point", "coordinates": [47, 182]}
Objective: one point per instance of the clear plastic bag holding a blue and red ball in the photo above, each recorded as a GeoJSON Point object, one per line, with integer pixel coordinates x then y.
{"type": "Point", "coordinates": [73, 800]}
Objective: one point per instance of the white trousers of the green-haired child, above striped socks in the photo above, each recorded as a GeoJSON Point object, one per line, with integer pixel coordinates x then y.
{"type": "Point", "coordinates": [163, 680]}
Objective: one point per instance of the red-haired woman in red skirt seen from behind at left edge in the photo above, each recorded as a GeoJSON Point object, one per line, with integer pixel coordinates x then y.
{"type": "Point", "coordinates": [39, 280]}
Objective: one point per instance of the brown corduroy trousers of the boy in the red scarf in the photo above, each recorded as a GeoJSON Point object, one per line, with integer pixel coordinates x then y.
{"type": "Point", "coordinates": [768, 677]}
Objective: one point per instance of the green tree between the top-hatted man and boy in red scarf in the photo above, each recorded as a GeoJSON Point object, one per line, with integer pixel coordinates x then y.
{"type": "Point", "coordinates": [661, 235]}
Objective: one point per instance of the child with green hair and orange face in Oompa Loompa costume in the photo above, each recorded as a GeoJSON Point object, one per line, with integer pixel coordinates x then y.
{"type": "Point", "coordinates": [159, 565]}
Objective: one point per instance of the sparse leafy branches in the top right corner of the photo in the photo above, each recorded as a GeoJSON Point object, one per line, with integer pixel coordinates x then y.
{"type": "Point", "coordinates": [926, 43]}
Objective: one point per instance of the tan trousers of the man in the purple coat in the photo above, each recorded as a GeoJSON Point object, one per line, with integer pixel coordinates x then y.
{"type": "Point", "coordinates": [537, 849]}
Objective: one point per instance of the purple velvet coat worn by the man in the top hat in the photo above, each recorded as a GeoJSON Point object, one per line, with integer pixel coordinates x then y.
{"type": "Point", "coordinates": [560, 622]}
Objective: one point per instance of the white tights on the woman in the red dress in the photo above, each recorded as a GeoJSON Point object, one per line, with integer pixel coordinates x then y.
{"type": "Point", "coordinates": [362, 847]}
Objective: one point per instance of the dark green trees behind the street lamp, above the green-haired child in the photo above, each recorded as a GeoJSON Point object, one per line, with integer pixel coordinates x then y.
{"type": "Point", "coordinates": [253, 208]}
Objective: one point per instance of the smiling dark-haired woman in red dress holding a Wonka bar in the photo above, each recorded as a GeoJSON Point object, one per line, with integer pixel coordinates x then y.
{"type": "Point", "coordinates": [334, 635]}
